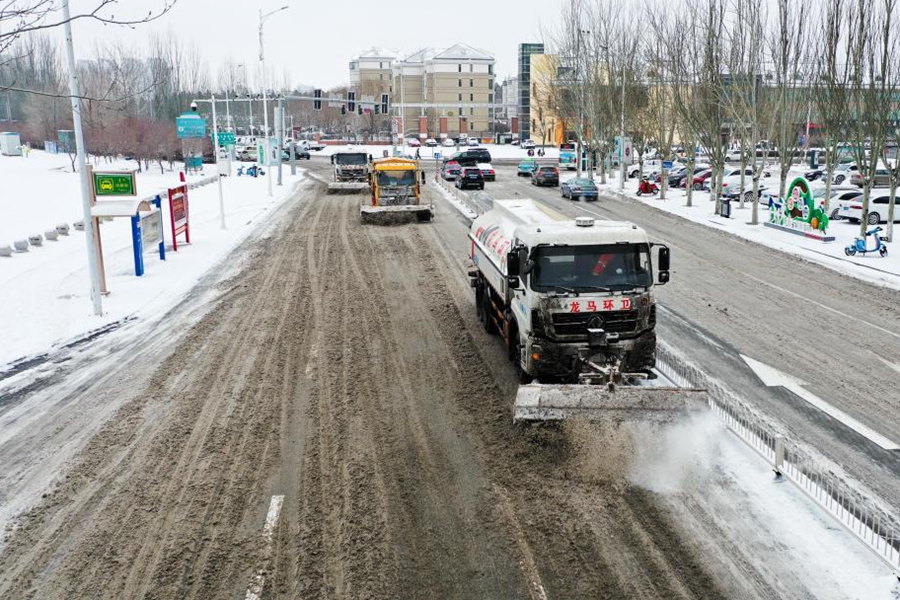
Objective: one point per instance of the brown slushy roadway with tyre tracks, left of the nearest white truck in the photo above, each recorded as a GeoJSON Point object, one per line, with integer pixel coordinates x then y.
{"type": "Point", "coordinates": [334, 424]}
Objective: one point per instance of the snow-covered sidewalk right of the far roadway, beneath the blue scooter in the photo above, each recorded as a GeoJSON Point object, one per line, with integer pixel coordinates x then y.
{"type": "Point", "coordinates": [873, 268]}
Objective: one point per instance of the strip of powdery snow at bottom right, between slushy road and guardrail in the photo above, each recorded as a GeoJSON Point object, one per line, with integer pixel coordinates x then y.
{"type": "Point", "coordinates": [723, 491]}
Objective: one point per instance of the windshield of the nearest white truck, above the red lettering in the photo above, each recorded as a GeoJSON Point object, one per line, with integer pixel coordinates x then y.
{"type": "Point", "coordinates": [613, 267]}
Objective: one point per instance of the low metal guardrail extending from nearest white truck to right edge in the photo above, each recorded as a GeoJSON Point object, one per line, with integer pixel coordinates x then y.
{"type": "Point", "coordinates": [874, 526]}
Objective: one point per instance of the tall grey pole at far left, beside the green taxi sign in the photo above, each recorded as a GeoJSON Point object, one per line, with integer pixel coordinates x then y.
{"type": "Point", "coordinates": [89, 233]}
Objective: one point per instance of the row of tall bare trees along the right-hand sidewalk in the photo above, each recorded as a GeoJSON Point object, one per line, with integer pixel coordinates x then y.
{"type": "Point", "coordinates": [719, 76]}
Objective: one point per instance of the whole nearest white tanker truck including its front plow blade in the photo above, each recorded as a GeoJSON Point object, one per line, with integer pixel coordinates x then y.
{"type": "Point", "coordinates": [573, 301]}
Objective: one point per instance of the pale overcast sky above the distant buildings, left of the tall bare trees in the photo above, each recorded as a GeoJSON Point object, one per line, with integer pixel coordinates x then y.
{"type": "Point", "coordinates": [315, 40]}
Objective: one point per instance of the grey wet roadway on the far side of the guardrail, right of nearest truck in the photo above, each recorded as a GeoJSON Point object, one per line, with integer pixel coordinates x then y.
{"type": "Point", "coordinates": [730, 297]}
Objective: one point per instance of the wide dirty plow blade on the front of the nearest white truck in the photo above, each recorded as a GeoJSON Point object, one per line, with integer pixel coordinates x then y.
{"type": "Point", "coordinates": [538, 402]}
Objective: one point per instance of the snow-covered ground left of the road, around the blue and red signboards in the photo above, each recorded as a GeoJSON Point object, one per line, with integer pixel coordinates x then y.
{"type": "Point", "coordinates": [45, 293]}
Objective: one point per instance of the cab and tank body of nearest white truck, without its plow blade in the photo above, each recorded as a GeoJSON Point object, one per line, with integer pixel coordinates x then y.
{"type": "Point", "coordinates": [566, 292]}
